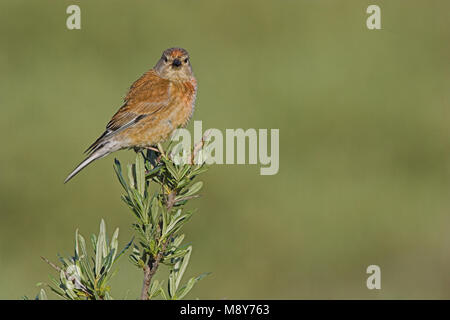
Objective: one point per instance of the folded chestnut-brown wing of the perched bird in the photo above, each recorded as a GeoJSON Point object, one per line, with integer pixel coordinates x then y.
{"type": "Point", "coordinates": [147, 95]}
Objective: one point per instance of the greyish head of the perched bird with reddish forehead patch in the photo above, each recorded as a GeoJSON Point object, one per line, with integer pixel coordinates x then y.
{"type": "Point", "coordinates": [174, 65]}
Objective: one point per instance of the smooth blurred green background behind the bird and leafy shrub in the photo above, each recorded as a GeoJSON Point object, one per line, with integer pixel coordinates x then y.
{"type": "Point", "coordinates": [364, 141]}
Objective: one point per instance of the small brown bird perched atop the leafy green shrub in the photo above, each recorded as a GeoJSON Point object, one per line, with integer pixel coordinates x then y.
{"type": "Point", "coordinates": [160, 101]}
